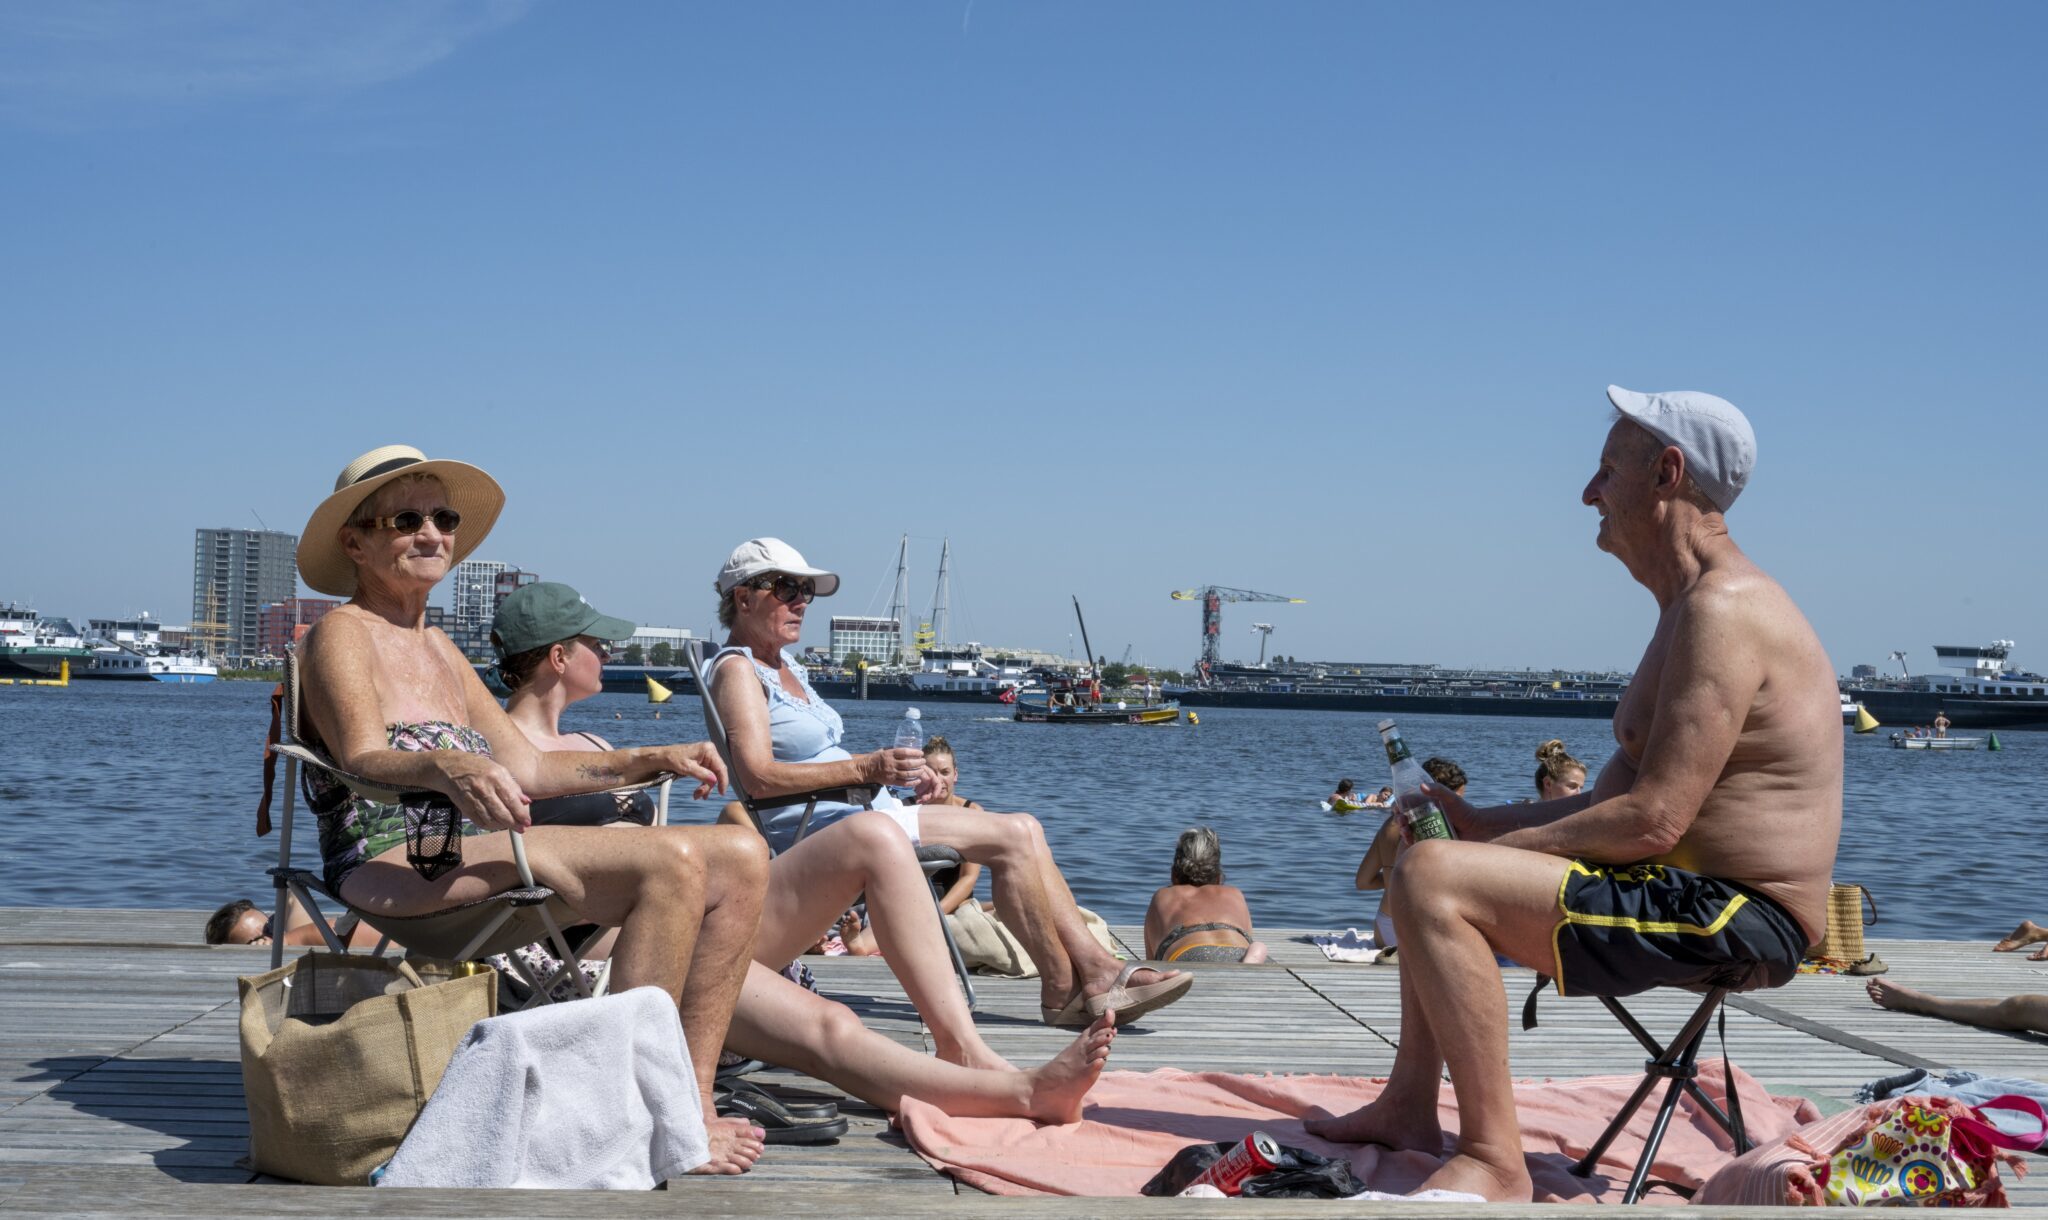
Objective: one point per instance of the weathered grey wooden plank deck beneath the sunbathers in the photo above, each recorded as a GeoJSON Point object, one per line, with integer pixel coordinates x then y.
{"type": "Point", "coordinates": [122, 1084]}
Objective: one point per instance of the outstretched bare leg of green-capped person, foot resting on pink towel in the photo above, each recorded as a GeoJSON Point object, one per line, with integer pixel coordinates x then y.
{"type": "Point", "coordinates": [802, 1031]}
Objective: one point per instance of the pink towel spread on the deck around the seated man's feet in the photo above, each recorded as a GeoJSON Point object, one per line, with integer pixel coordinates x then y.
{"type": "Point", "coordinates": [1138, 1121]}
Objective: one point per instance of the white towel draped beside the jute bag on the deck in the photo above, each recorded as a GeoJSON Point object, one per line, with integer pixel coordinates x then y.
{"type": "Point", "coordinates": [595, 1094]}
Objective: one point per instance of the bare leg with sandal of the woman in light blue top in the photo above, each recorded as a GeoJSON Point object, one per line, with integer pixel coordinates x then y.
{"type": "Point", "coordinates": [1033, 898]}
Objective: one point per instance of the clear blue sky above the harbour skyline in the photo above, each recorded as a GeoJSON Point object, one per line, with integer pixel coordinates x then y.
{"type": "Point", "coordinates": [1123, 298]}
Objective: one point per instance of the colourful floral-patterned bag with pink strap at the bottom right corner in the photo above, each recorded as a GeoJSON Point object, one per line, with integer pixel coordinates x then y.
{"type": "Point", "coordinates": [1930, 1151]}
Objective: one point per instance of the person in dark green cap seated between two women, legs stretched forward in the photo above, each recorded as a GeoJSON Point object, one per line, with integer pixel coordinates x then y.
{"type": "Point", "coordinates": [552, 650]}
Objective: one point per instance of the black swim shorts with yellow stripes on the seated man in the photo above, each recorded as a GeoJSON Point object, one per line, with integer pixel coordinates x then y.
{"type": "Point", "coordinates": [1629, 928]}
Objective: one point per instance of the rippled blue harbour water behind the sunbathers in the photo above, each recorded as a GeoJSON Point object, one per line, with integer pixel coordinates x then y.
{"type": "Point", "coordinates": [144, 795]}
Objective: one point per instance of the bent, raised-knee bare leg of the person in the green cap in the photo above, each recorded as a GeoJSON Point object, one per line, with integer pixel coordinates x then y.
{"type": "Point", "coordinates": [810, 887]}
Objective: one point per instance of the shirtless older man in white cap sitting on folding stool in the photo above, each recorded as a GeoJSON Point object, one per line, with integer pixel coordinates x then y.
{"type": "Point", "coordinates": [1717, 814]}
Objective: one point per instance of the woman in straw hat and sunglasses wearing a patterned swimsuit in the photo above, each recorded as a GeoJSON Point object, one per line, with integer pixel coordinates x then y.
{"type": "Point", "coordinates": [394, 701]}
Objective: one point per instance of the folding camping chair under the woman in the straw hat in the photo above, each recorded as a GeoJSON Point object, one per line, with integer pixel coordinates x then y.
{"type": "Point", "coordinates": [497, 924]}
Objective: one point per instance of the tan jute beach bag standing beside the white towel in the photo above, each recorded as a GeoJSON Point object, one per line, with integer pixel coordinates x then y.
{"type": "Point", "coordinates": [341, 1051]}
